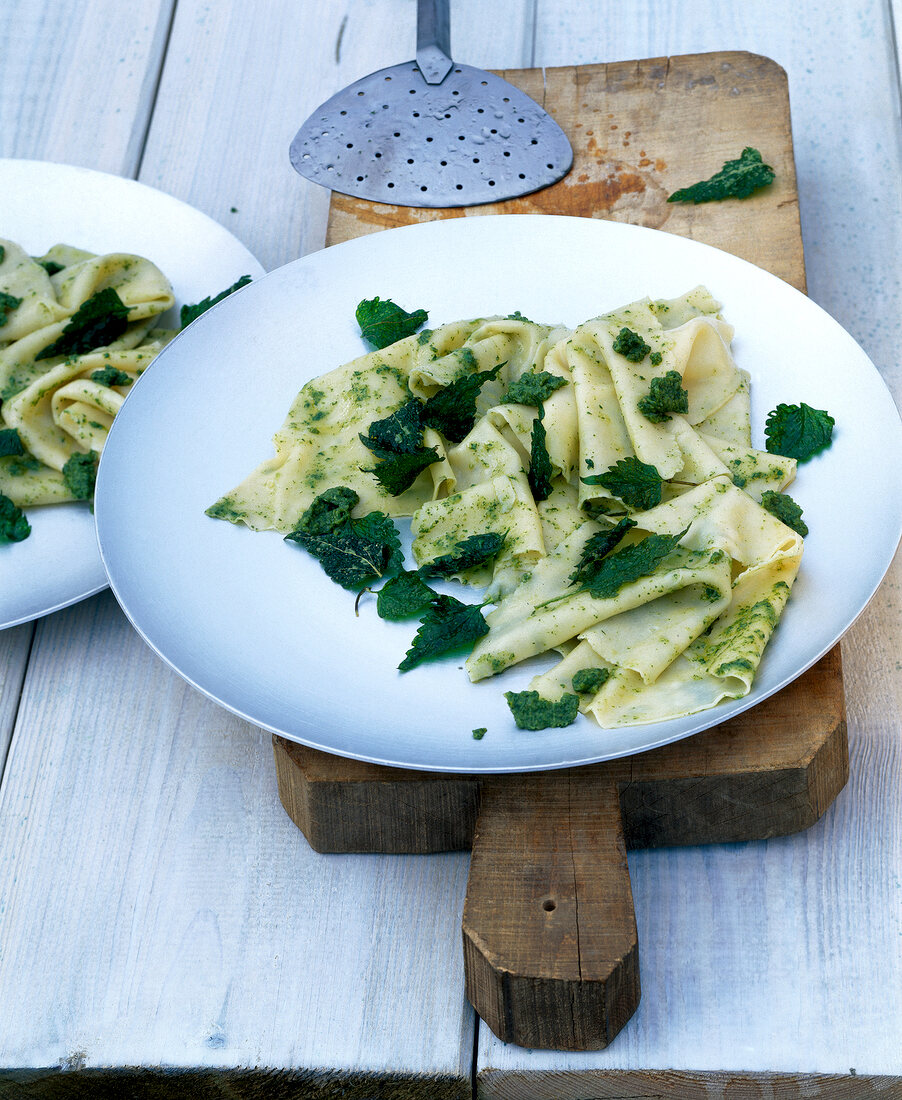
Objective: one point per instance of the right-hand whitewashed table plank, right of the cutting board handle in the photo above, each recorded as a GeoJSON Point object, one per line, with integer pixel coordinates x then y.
{"type": "Point", "coordinates": [791, 988]}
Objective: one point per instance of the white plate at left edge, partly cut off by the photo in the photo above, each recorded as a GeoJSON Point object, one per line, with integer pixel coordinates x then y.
{"type": "Point", "coordinates": [42, 205]}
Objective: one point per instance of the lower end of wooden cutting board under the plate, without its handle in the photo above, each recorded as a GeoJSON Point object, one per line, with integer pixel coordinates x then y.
{"type": "Point", "coordinates": [771, 772]}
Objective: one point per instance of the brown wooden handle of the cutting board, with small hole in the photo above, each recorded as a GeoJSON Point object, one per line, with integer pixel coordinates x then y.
{"type": "Point", "coordinates": [552, 954]}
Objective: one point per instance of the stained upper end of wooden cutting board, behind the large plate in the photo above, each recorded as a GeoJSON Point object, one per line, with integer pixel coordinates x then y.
{"type": "Point", "coordinates": [626, 123]}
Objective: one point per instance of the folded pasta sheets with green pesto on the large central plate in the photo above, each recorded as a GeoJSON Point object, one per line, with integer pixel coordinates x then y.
{"type": "Point", "coordinates": [673, 641]}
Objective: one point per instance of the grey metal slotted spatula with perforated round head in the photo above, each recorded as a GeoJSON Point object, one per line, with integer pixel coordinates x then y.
{"type": "Point", "coordinates": [432, 133]}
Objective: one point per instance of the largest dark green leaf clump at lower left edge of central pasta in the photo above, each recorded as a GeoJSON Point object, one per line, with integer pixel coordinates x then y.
{"type": "Point", "coordinates": [353, 552]}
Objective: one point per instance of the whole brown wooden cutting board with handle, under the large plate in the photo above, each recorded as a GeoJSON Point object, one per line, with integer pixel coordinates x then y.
{"type": "Point", "coordinates": [551, 948]}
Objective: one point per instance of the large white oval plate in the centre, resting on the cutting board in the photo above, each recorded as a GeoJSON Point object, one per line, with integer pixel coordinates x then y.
{"type": "Point", "coordinates": [258, 626]}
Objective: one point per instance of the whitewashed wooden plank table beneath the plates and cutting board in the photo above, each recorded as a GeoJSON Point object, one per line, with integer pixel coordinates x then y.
{"type": "Point", "coordinates": [159, 912]}
